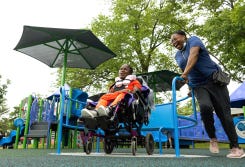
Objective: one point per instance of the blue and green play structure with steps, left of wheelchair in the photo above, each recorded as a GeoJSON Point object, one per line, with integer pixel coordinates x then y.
{"type": "Point", "coordinates": [40, 119]}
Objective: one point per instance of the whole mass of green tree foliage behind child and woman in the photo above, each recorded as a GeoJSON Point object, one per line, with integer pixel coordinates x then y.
{"type": "Point", "coordinates": [138, 31]}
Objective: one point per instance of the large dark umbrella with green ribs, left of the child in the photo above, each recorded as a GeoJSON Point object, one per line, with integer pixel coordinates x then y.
{"type": "Point", "coordinates": [73, 48]}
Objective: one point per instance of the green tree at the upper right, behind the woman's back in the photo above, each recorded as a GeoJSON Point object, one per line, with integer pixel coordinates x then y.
{"type": "Point", "coordinates": [225, 31]}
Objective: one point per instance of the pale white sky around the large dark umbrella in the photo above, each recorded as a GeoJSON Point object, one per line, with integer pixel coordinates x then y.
{"type": "Point", "coordinates": [29, 76]}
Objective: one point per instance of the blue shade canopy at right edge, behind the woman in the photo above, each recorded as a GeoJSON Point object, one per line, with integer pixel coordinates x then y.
{"type": "Point", "coordinates": [237, 98]}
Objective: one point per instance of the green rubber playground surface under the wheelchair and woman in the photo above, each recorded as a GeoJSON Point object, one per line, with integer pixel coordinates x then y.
{"type": "Point", "coordinates": [119, 157]}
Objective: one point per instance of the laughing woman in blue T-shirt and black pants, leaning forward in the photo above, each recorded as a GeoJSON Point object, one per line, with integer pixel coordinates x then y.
{"type": "Point", "coordinates": [198, 68]}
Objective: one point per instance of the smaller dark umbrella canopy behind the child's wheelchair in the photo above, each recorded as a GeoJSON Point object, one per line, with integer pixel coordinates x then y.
{"type": "Point", "coordinates": [161, 80]}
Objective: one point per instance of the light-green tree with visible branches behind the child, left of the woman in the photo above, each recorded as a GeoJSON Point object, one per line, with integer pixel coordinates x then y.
{"type": "Point", "coordinates": [138, 32]}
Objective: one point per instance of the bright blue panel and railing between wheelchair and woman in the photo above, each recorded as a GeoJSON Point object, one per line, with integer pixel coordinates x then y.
{"type": "Point", "coordinates": [165, 117]}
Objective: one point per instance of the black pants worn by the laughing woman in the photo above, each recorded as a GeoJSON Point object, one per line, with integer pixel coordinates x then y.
{"type": "Point", "coordinates": [212, 97]}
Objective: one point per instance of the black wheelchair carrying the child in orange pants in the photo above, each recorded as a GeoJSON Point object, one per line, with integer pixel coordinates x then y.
{"type": "Point", "coordinates": [123, 126]}
